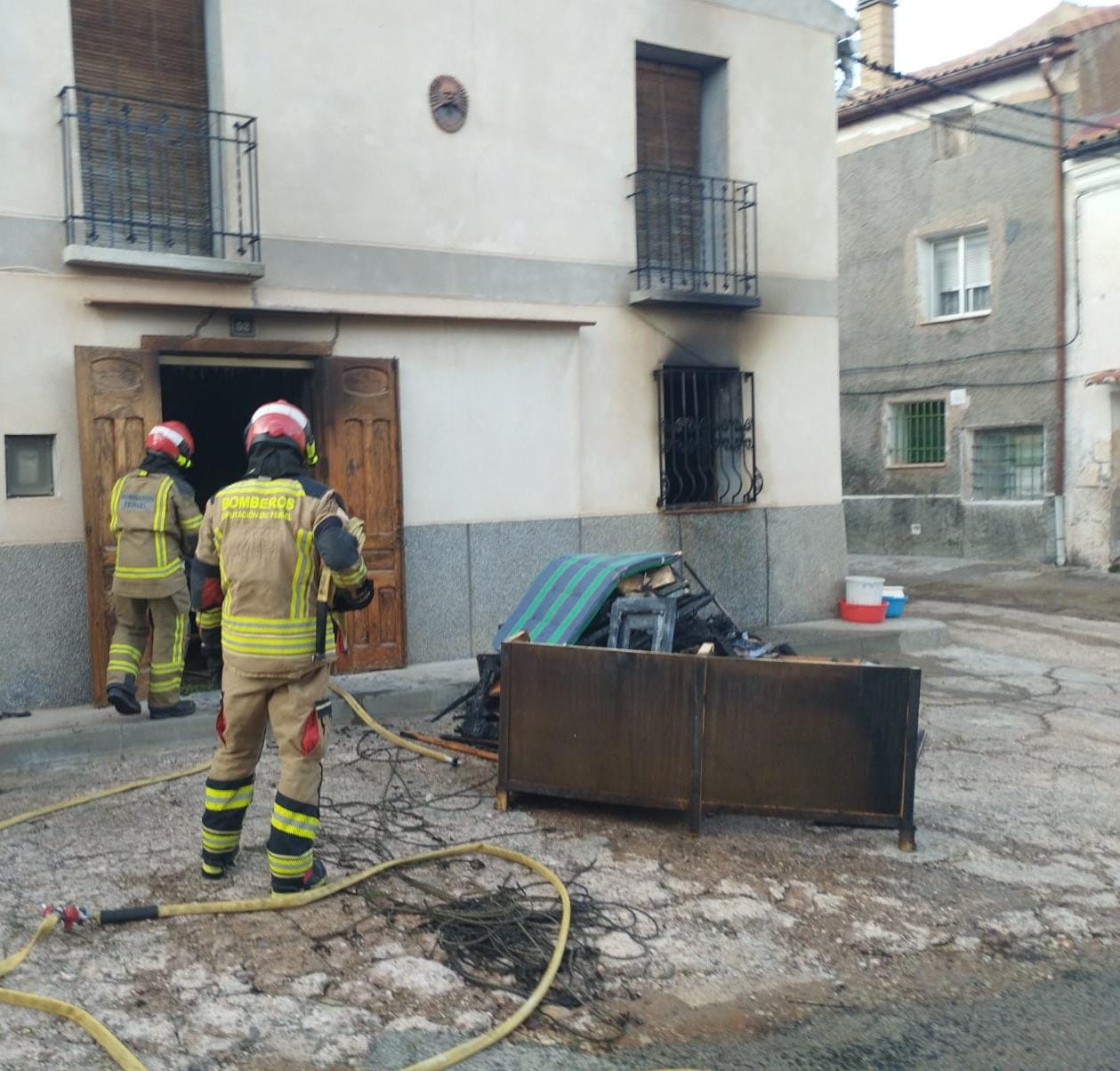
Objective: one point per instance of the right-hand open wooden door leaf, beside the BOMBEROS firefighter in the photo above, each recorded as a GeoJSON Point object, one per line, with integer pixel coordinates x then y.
{"type": "Point", "coordinates": [360, 444]}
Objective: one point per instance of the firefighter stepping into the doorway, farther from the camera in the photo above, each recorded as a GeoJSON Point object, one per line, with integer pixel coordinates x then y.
{"type": "Point", "coordinates": [156, 521]}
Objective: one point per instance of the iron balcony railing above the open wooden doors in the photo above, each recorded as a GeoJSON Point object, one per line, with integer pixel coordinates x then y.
{"type": "Point", "coordinates": [165, 179]}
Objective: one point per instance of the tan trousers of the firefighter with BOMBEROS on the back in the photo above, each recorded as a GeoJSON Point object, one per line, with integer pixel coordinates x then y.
{"type": "Point", "coordinates": [300, 712]}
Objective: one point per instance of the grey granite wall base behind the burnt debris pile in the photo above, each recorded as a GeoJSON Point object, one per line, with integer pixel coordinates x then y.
{"type": "Point", "coordinates": [767, 567]}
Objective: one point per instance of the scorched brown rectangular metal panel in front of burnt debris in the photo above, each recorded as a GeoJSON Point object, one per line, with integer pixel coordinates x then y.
{"type": "Point", "coordinates": [788, 738]}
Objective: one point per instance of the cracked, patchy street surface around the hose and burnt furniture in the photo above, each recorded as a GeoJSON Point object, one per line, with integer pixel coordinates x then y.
{"type": "Point", "coordinates": [761, 945]}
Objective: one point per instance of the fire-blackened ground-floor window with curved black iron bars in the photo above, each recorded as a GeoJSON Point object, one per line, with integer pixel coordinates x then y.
{"type": "Point", "coordinates": [707, 432]}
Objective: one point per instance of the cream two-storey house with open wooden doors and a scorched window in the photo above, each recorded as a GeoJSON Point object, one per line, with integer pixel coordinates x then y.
{"type": "Point", "coordinates": [549, 278]}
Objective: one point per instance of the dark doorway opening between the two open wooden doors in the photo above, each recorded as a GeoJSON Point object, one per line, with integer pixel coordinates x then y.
{"type": "Point", "coordinates": [216, 397]}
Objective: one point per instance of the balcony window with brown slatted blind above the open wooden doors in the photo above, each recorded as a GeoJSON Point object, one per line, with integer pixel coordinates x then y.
{"type": "Point", "coordinates": [150, 171]}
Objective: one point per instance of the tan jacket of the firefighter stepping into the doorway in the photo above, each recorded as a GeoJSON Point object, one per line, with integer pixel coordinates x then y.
{"type": "Point", "coordinates": [156, 521]}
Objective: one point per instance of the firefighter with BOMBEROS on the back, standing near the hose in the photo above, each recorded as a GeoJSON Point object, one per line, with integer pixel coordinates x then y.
{"type": "Point", "coordinates": [264, 544]}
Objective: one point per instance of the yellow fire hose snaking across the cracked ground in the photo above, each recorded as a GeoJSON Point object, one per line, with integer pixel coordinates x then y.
{"type": "Point", "coordinates": [122, 1054]}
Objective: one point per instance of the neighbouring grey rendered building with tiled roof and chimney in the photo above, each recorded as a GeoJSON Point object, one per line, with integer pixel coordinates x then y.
{"type": "Point", "coordinates": [954, 328]}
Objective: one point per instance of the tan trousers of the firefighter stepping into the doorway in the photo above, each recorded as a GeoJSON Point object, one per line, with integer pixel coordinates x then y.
{"type": "Point", "coordinates": [169, 620]}
